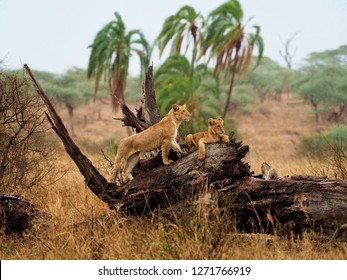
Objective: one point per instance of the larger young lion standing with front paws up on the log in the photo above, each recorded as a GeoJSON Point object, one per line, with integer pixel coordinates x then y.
{"type": "Point", "coordinates": [162, 134]}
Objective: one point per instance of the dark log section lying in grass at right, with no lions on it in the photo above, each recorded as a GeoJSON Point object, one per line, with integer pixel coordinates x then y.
{"type": "Point", "coordinates": [289, 205]}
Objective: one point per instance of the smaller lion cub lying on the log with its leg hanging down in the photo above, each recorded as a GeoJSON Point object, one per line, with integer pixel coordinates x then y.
{"type": "Point", "coordinates": [214, 133]}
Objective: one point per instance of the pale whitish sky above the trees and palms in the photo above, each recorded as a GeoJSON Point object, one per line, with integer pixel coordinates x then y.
{"type": "Point", "coordinates": [53, 35]}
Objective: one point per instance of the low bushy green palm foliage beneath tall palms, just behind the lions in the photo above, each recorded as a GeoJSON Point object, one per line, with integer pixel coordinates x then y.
{"type": "Point", "coordinates": [175, 85]}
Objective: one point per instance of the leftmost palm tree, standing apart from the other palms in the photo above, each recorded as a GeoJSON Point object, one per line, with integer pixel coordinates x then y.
{"type": "Point", "coordinates": [111, 51]}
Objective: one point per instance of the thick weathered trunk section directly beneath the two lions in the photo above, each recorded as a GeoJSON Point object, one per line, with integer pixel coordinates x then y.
{"type": "Point", "coordinates": [156, 185]}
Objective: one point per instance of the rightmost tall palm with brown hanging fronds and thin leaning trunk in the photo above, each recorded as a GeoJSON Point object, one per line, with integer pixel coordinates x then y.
{"type": "Point", "coordinates": [226, 40]}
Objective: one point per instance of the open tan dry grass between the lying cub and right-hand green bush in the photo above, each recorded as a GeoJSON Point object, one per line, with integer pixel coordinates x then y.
{"type": "Point", "coordinates": [273, 132]}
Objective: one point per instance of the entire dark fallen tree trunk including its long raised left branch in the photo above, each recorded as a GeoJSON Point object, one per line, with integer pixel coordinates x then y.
{"type": "Point", "coordinates": [292, 204]}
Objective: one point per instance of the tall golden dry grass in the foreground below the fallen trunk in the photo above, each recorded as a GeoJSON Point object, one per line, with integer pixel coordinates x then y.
{"type": "Point", "coordinates": [84, 228]}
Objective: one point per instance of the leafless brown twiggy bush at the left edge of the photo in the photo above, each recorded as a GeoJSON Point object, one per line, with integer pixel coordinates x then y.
{"type": "Point", "coordinates": [25, 158]}
